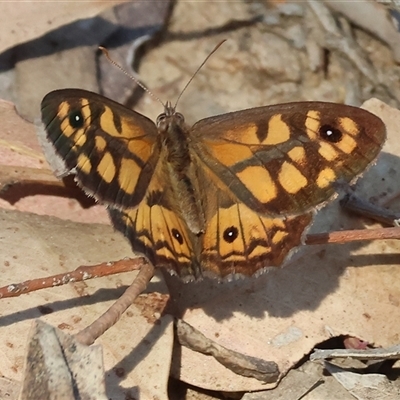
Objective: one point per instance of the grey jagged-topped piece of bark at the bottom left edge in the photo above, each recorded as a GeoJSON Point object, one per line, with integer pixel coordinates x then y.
{"type": "Point", "coordinates": [60, 368]}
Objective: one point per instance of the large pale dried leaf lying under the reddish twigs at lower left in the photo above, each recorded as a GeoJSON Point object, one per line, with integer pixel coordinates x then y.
{"type": "Point", "coordinates": [137, 350]}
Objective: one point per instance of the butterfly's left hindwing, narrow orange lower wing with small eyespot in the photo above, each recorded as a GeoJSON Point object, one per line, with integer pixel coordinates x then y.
{"type": "Point", "coordinates": [156, 229]}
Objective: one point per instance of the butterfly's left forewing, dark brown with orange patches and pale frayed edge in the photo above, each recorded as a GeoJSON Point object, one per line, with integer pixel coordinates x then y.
{"type": "Point", "coordinates": [112, 150]}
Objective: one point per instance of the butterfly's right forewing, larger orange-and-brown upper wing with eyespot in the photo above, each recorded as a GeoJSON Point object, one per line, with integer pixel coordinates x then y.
{"type": "Point", "coordinates": [284, 159]}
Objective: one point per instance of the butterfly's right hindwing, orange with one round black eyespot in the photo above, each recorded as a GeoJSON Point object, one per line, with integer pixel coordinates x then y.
{"type": "Point", "coordinates": [239, 241]}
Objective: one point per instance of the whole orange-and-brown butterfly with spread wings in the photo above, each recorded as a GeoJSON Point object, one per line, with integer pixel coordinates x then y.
{"type": "Point", "coordinates": [231, 195]}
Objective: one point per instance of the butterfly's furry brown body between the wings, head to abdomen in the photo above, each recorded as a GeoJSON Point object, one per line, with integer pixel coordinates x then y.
{"type": "Point", "coordinates": [175, 141]}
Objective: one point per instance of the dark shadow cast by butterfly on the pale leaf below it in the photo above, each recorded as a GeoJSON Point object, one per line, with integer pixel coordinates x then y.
{"type": "Point", "coordinates": [280, 292]}
